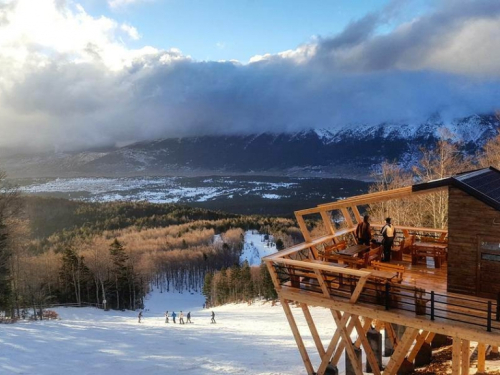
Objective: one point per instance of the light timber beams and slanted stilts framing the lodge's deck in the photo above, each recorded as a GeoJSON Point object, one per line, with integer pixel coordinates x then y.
{"type": "Point", "coordinates": [347, 313]}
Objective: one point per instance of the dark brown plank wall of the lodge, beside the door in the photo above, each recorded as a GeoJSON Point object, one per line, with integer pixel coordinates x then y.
{"type": "Point", "coordinates": [468, 220]}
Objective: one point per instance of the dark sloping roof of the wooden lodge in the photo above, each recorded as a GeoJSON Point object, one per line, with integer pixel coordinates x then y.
{"type": "Point", "coordinates": [483, 184]}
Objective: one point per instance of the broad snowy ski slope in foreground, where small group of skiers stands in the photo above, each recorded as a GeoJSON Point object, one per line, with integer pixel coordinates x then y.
{"type": "Point", "coordinates": [252, 339]}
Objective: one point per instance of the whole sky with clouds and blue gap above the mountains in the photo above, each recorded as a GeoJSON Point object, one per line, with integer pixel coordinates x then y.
{"type": "Point", "coordinates": [88, 73]}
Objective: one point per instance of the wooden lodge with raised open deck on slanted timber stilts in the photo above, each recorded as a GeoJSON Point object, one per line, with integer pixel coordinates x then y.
{"type": "Point", "coordinates": [440, 282]}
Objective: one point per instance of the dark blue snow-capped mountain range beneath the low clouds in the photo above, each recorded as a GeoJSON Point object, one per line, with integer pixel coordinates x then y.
{"type": "Point", "coordinates": [350, 151]}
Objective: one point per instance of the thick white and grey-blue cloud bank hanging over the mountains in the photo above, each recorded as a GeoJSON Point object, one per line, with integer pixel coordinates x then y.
{"type": "Point", "coordinates": [68, 80]}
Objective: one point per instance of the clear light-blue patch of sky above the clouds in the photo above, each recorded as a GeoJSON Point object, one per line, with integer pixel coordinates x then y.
{"type": "Point", "coordinates": [239, 29]}
